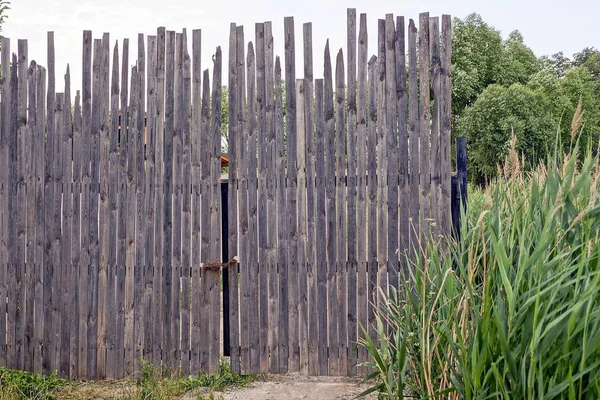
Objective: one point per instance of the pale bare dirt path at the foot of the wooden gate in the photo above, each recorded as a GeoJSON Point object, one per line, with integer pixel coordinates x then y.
{"type": "Point", "coordinates": [297, 387]}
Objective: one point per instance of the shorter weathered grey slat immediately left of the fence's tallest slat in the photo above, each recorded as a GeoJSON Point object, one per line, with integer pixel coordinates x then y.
{"type": "Point", "coordinates": [340, 205]}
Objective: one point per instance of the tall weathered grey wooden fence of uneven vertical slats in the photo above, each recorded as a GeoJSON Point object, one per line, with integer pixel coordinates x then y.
{"type": "Point", "coordinates": [111, 233]}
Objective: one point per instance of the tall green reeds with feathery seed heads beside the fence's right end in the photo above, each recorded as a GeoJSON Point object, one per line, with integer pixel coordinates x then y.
{"type": "Point", "coordinates": [518, 316]}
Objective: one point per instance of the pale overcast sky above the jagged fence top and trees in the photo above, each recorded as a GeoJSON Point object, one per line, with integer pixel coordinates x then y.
{"type": "Point", "coordinates": [548, 26]}
